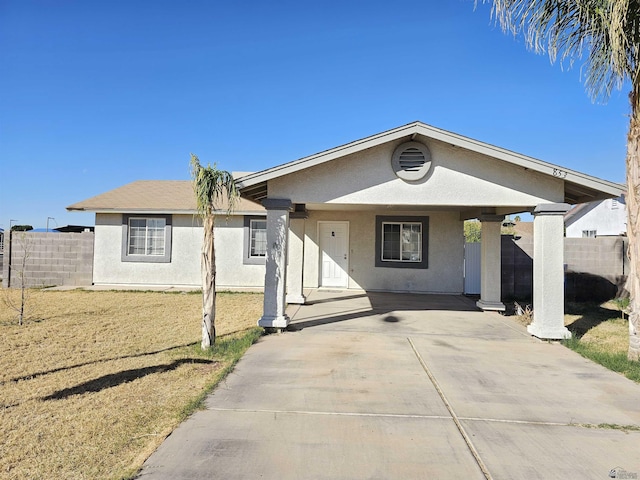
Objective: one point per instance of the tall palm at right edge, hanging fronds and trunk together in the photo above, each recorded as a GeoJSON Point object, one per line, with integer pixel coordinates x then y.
{"type": "Point", "coordinates": [607, 33]}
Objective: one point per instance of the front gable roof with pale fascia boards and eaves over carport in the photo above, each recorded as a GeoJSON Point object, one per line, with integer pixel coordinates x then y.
{"type": "Point", "coordinates": [578, 186]}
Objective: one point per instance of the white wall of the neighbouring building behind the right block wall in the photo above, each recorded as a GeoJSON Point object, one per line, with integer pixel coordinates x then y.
{"type": "Point", "coordinates": [602, 218]}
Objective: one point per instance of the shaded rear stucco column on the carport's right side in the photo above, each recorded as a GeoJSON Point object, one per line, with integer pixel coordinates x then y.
{"type": "Point", "coordinates": [490, 264]}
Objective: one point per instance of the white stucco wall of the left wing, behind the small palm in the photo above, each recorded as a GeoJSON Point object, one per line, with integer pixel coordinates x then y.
{"type": "Point", "coordinates": [184, 267]}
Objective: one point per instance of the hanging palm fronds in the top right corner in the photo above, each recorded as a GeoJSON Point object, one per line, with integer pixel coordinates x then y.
{"type": "Point", "coordinates": [605, 34]}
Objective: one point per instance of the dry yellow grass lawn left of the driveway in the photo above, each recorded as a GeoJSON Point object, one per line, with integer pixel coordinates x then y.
{"type": "Point", "coordinates": [93, 381]}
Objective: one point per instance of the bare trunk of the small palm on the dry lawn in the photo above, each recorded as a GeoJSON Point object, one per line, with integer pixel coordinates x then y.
{"type": "Point", "coordinates": [208, 271]}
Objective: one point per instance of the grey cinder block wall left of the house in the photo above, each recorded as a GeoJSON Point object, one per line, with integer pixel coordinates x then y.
{"type": "Point", "coordinates": [48, 259]}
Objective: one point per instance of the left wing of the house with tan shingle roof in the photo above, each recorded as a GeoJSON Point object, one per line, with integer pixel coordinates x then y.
{"type": "Point", "coordinates": [147, 233]}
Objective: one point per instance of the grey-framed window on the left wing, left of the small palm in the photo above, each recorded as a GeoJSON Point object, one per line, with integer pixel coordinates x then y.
{"type": "Point", "coordinates": [146, 238]}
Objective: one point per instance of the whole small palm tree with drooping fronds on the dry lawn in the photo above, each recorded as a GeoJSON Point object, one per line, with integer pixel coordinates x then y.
{"type": "Point", "coordinates": [210, 185]}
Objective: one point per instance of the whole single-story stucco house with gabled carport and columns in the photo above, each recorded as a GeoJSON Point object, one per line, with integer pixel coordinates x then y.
{"type": "Point", "coordinates": [383, 213]}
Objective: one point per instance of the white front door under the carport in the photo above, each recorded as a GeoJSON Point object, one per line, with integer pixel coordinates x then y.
{"type": "Point", "coordinates": [334, 254]}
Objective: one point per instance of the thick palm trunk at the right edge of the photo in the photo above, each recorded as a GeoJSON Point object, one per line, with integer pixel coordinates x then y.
{"type": "Point", "coordinates": [633, 209]}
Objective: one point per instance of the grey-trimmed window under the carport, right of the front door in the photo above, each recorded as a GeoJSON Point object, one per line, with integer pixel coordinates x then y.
{"type": "Point", "coordinates": [402, 242]}
